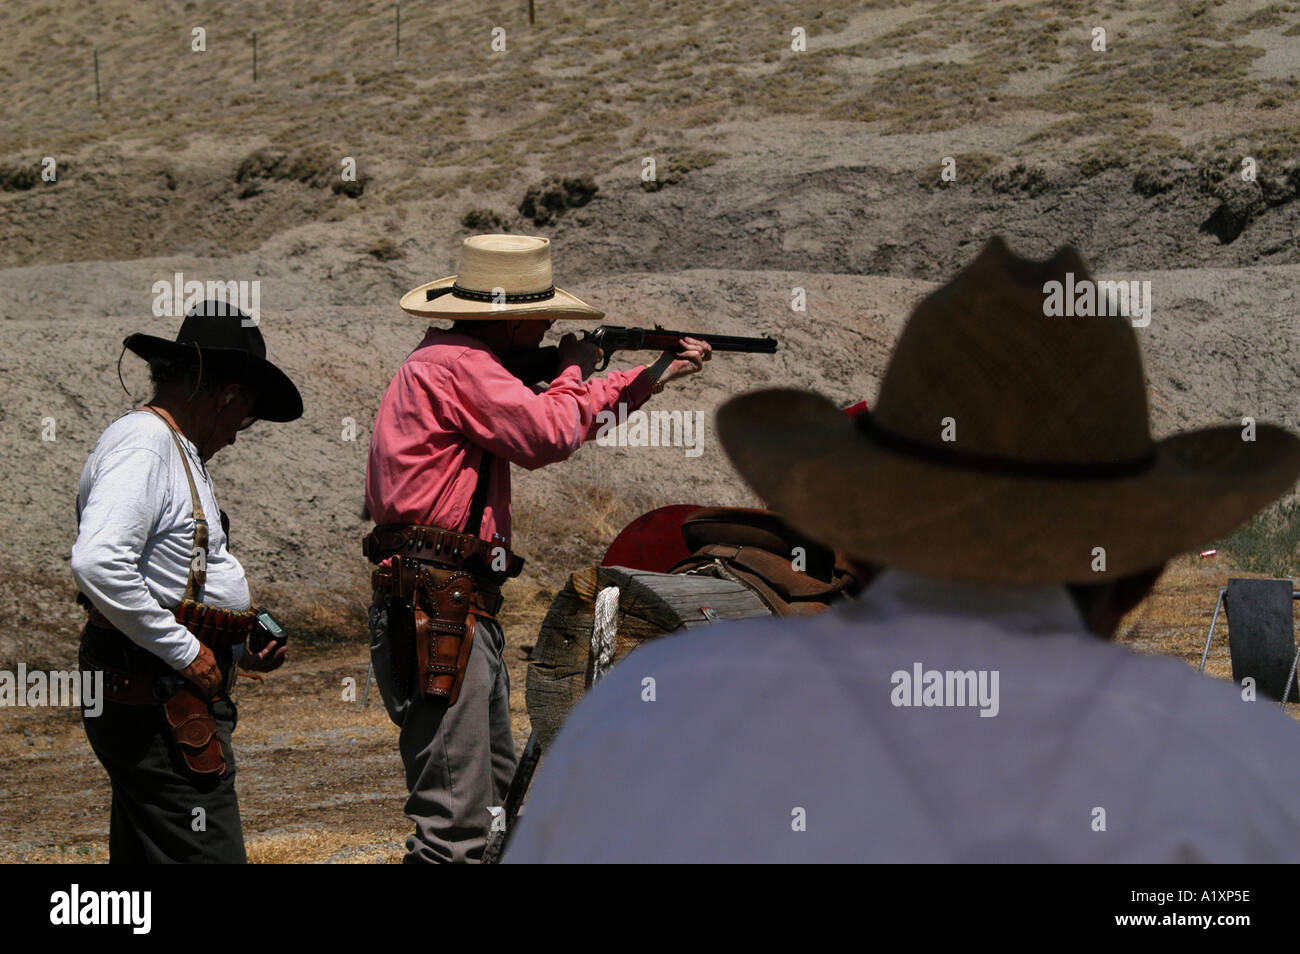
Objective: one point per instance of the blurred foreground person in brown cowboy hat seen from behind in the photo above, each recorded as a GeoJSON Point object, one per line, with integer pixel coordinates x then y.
{"type": "Point", "coordinates": [1009, 501]}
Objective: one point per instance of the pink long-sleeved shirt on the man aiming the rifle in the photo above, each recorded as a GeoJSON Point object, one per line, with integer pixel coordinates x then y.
{"type": "Point", "coordinates": [452, 402]}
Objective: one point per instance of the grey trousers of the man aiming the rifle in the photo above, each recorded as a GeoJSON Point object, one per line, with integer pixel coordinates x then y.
{"type": "Point", "coordinates": [460, 760]}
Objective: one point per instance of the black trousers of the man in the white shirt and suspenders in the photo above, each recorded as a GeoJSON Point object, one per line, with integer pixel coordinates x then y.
{"type": "Point", "coordinates": [161, 813]}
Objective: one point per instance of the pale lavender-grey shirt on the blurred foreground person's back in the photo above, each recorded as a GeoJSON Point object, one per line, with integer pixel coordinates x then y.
{"type": "Point", "coordinates": [783, 741]}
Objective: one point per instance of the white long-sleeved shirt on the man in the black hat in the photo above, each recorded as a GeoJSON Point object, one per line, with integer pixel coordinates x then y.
{"type": "Point", "coordinates": [136, 535]}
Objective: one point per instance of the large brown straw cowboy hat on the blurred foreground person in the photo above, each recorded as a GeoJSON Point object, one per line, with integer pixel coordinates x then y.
{"type": "Point", "coordinates": [1052, 470]}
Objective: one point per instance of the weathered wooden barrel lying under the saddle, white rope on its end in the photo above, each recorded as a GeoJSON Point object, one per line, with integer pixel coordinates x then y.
{"type": "Point", "coordinates": [651, 605]}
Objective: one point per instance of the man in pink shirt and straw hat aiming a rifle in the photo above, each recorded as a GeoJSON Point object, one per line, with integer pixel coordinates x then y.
{"type": "Point", "coordinates": [437, 485]}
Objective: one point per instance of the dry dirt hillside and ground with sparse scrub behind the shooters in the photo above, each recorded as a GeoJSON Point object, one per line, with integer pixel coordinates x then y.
{"type": "Point", "coordinates": [774, 170]}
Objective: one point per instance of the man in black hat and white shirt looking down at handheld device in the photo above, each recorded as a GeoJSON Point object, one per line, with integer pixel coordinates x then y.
{"type": "Point", "coordinates": [153, 565]}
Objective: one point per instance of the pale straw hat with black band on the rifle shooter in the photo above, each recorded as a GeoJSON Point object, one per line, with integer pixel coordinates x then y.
{"type": "Point", "coordinates": [500, 277]}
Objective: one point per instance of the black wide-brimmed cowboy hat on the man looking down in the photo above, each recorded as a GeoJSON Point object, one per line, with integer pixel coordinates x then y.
{"type": "Point", "coordinates": [219, 337]}
